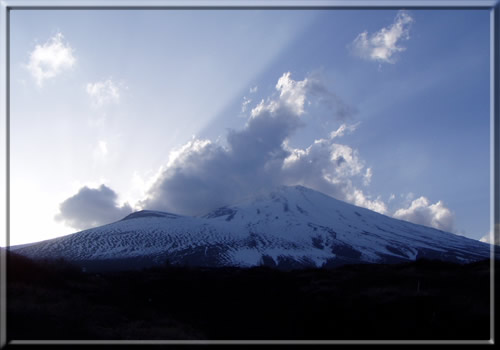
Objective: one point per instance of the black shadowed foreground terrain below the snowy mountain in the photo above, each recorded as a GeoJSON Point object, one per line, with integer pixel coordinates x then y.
{"type": "Point", "coordinates": [420, 300]}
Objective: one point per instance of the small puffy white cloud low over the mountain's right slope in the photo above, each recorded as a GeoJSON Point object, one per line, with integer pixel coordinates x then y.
{"type": "Point", "coordinates": [422, 212]}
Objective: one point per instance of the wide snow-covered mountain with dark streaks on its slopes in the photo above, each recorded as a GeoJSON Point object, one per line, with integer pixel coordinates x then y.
{"type": "Point", "coordinates": [289, 227]}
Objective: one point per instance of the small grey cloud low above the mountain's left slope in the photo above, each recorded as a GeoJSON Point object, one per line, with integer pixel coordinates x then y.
{"type": "Point", "coordinates": [91, 207]}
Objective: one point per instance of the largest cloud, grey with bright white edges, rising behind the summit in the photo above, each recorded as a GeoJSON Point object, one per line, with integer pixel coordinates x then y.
{"type": "Point", "coordinates": [202, 175]}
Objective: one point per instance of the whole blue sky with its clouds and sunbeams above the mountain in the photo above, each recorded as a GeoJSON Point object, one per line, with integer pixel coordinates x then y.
{"type": "Point", "coordinates": [119, 110]}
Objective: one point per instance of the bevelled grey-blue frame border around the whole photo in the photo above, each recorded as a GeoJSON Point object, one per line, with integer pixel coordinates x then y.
{"type": "Point", "coordinates": [8, 5]}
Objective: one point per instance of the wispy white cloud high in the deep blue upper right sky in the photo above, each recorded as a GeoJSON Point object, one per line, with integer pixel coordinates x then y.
{"type": "Point", "coordinates": [383, 45]}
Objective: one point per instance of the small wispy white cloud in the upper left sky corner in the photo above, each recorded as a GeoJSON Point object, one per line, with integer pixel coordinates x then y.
{"type": "Point", "coordinates": [50, 59]}
